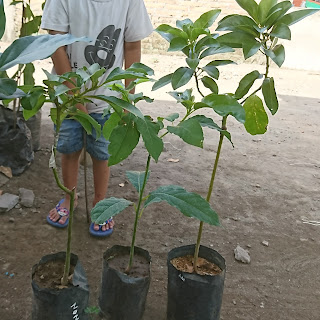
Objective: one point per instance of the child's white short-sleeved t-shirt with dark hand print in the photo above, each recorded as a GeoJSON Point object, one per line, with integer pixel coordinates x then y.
{"type": "Point", "coordinates": [109, 23]}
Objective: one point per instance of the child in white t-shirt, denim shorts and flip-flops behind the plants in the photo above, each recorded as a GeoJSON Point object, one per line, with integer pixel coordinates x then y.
{"type": "Point", "coordinates": [116, 28]}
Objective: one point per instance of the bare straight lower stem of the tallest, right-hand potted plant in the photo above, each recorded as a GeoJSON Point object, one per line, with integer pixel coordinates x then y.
{"type": "Point", "coordinates": [214, 171]}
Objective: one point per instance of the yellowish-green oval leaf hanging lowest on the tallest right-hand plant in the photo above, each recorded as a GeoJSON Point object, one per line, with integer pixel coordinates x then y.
{"type": "Point", "coordinates": [256, 117]}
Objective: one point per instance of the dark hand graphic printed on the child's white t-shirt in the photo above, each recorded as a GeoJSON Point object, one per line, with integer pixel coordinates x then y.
{"type": "Point", "coordinates": [102, 51]}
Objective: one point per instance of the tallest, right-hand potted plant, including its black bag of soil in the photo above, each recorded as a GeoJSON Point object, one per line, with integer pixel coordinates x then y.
{"type": "Point", "coordinates": [195, 293]}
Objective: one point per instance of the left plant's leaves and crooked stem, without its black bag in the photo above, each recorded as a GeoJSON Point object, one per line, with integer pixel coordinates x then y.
{"type": "Point", "coordinates": [55, 90]}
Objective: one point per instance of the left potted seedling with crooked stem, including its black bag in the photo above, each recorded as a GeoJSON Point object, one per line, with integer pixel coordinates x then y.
{"type": "Point", "coordinates": [59, 283]}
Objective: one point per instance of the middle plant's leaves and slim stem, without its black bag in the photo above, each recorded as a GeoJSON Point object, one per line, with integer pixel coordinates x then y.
{"type": "Point", "coordinates": [124, 131]}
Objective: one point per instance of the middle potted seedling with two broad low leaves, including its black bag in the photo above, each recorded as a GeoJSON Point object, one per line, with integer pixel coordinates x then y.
{"type": "Point", "coordinates": [126, 269]}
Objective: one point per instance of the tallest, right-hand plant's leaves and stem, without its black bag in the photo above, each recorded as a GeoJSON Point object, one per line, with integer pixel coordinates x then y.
{"type": "Point", "coordinates": [259, 31]}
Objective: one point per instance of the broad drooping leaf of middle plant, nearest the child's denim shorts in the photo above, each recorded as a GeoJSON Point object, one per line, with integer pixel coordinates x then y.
{"type": "Point", "coordinates": [123, 140]}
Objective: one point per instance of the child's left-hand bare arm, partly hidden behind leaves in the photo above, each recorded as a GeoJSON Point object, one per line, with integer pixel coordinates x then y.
{"type": "Point", "coordinates": [62, 65]}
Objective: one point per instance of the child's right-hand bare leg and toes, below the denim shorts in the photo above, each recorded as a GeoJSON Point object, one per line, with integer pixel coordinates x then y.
{"type": "Point", "coordinates": [101, 173]}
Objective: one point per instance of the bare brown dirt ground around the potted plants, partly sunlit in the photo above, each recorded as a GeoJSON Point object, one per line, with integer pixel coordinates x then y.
{"type": "Point", "coordinates": [266, 188]}
